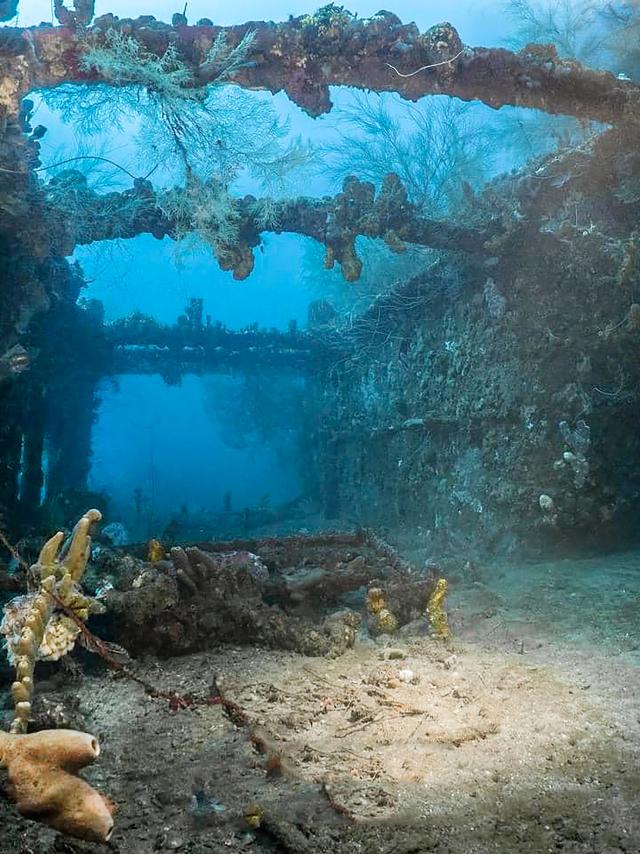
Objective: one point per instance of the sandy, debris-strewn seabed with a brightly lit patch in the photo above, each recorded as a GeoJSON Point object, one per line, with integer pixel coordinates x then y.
{"type": "Point", "coordinates": [522, 735]}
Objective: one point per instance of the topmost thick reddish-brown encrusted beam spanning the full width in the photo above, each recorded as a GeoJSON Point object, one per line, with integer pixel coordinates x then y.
{"type": "Point", "coordinates": [304, 56]}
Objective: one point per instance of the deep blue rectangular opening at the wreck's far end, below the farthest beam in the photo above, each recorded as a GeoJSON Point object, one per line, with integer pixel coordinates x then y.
{"type": "Point", "coordinates": [235, 473]}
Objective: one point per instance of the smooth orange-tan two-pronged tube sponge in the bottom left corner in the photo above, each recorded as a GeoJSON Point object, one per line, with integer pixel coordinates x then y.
{"type": "Point", "coordinates": [42, 782]}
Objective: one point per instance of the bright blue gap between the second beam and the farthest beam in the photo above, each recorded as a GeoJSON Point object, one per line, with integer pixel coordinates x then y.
{"type": "Point", "coordinates": [272, 297]}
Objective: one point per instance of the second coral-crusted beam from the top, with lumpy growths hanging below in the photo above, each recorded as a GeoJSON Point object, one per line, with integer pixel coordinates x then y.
{"type": "Point", "coordinates": [334, 222]}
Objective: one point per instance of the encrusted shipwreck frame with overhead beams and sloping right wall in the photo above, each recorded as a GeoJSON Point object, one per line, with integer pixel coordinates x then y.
{"type": "Point", "coordinates": [491, 402]}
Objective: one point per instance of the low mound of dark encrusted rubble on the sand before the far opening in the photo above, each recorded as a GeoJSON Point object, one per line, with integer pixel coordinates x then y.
{"type": "Point", "coordinates": [202, 597]}
